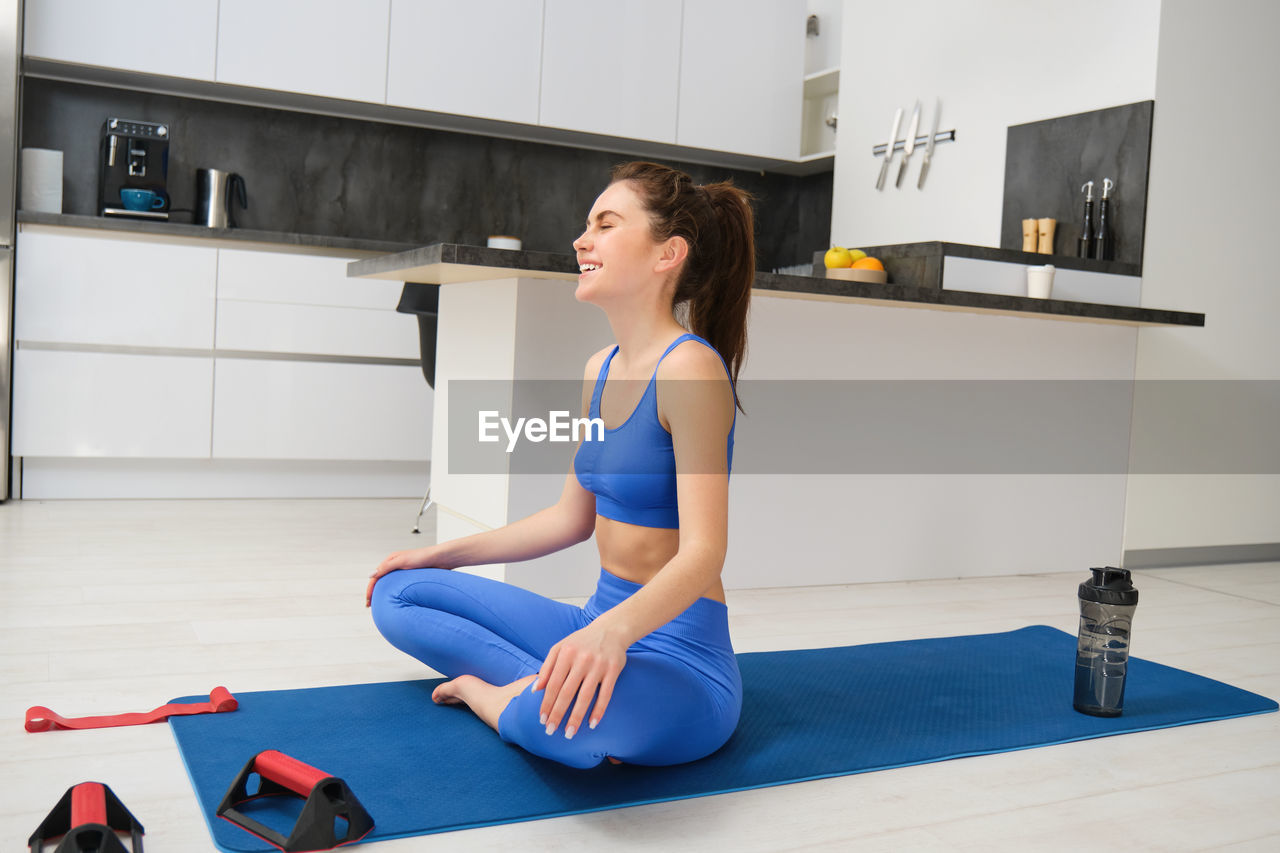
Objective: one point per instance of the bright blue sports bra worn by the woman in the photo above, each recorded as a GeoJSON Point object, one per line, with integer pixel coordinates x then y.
{"type": "Point", "coordinates": [633, 471]}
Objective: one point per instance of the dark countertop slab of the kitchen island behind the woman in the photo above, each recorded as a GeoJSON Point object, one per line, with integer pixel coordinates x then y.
{"type": "Point", "coordinates": [454, 264]}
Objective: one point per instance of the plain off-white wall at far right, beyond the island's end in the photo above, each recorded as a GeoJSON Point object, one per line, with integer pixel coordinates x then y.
{"type": "Point", "coordinates": [1210, 248]}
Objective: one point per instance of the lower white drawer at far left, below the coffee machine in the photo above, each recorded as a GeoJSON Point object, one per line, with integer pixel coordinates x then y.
{"type": "Point", "coordinates": [111, 405]}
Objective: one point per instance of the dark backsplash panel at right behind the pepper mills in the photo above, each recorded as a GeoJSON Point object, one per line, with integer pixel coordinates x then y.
{"type": "Point", "coordinates": [1048, 162]}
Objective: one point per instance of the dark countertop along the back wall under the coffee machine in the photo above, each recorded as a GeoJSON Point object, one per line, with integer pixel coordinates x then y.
{"type": "Point", "coordinates": [188, 231]}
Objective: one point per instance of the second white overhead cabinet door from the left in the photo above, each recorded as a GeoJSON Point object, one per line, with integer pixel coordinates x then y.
{"type": "Point", "coordinates": [331, 48]}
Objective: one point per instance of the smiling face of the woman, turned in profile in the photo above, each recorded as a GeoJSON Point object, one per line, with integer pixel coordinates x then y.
{"type": "Point", "coordinates": [616, 253]}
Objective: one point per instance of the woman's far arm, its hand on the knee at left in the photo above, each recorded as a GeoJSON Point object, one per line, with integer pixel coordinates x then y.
{"type": "Point", "coordinates": [566, 523]}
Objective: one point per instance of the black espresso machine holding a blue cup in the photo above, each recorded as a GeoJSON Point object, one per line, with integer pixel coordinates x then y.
{"type": "Point", "coordinates": [134, 168]}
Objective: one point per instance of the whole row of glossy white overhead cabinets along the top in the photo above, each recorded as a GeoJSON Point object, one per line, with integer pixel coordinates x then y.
{"type": "Point", "coordinates": [723, 76]}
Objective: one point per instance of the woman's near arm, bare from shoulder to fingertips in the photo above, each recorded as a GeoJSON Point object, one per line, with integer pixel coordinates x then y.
{"type": "Point", "coordinates": [698, 404]}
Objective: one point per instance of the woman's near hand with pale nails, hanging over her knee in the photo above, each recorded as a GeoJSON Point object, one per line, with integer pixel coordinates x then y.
{"type": "Point", "coordinates": [586, 662]}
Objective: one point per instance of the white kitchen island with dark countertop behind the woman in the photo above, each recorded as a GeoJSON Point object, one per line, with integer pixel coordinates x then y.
{"type": "Point", "coordinates": [511, 318]}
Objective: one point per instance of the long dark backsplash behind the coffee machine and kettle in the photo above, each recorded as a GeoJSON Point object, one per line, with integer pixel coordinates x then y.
{"type": "Point", "coordinates": [340, 177]}
